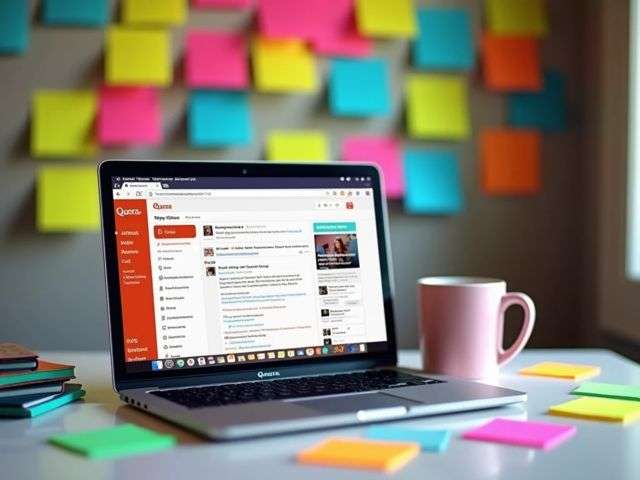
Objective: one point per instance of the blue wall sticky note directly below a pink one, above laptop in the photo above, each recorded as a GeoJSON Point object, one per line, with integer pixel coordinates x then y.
{"type": "Point", "coordinates": [219, 118]}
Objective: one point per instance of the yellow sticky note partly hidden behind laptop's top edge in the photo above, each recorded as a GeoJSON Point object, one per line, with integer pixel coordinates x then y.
{"type": "Point", "coordinates": [297, 146]}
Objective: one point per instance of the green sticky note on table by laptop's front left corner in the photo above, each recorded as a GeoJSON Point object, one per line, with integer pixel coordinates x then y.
{"type": "Point", "coordinates": [125, 439]}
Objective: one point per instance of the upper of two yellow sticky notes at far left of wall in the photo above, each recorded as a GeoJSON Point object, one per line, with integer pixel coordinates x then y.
{"type": "Point", "coordinates": [62, 123]}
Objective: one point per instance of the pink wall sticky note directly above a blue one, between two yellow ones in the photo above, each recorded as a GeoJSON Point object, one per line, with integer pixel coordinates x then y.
{"type": "Point", "coordinates": [216, 60]}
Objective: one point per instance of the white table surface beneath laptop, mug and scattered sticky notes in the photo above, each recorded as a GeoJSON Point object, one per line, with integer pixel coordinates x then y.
{"type": "Point", "coordinates": [600, 450]}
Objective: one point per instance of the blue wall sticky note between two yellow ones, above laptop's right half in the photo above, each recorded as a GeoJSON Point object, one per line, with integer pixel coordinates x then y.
{"type": "Point", "coordinates": [359, 87]}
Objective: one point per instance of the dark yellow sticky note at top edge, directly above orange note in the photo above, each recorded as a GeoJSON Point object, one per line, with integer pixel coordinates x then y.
{"type": "Point", "coordinates": [517, 17]}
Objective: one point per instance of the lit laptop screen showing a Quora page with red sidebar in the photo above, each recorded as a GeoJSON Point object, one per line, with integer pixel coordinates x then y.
{"type": "Point", "coordinates": [236, 270]}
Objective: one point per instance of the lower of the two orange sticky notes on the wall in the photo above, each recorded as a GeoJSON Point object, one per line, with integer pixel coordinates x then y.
{"type": "Point", "coordinates": [510, 161]}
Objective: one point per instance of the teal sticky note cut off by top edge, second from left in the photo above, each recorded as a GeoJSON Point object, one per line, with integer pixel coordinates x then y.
{"type": "Point", "coordinates": [88, 13]}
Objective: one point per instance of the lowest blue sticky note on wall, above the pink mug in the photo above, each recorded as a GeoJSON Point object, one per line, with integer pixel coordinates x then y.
{"type": "Point", "coordinates": [432, 182]}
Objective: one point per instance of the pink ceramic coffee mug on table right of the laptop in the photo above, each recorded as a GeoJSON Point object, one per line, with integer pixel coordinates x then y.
{"type": "Point", "coordinates": [462, 325]}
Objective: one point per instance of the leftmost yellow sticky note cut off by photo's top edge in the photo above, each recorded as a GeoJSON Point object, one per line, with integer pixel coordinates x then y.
{"type": "Point", "coordinates": [154, 12]}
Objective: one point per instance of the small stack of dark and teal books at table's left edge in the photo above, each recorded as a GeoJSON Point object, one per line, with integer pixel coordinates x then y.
{"type": "Point", "coordinates": [30, 386]}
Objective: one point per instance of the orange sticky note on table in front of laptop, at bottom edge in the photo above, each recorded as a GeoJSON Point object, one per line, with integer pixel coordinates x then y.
{"type": "Point", "coordinates": [356, 453]}
